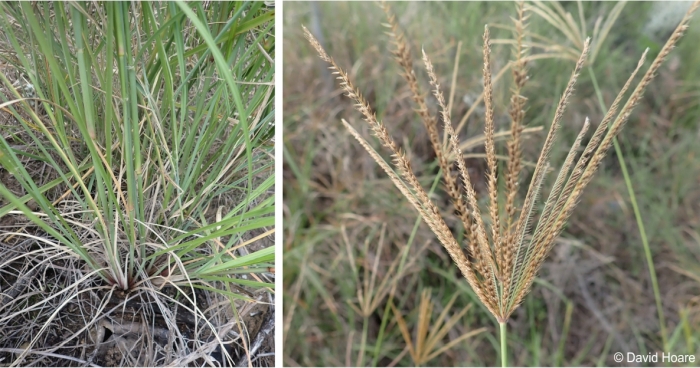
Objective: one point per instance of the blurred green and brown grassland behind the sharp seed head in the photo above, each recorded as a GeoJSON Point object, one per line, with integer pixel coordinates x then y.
{"type": "Point", "coordinates": [359, 265]}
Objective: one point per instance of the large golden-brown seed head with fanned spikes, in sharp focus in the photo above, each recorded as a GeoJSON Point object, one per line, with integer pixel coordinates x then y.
{"type": "Point", "coordinates": [499, 263]}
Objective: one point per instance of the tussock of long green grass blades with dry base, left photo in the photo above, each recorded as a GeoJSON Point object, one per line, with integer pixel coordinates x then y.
{"type": "Point", "coordinates": [155, 122]}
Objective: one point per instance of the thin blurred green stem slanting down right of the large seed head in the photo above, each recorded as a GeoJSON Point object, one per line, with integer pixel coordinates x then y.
{"type": "Point", "coordinates": [640, 223]}
